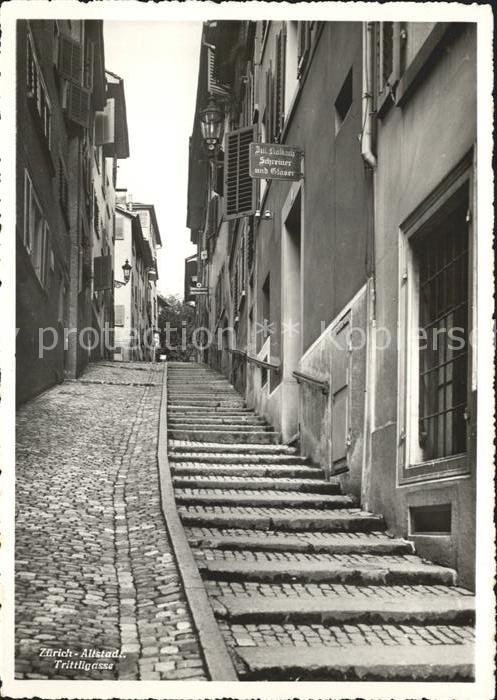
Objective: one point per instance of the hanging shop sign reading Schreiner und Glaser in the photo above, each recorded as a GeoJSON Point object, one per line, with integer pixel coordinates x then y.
{"type": "Point", "coordinates": [275, 161]}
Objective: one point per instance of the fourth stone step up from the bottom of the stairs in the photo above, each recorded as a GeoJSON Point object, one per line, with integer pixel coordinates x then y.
{"type": "Point", "coordinates": [332, 543]}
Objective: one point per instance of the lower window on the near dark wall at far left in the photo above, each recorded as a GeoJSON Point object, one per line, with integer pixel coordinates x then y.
{"type": "Point", "coordinates": [36, 233]}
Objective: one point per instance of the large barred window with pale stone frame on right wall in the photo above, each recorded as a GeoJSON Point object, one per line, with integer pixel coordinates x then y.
{"type": "Point", "coordinates": [435, 351]}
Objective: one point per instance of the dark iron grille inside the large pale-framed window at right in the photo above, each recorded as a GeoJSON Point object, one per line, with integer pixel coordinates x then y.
{"type": "Point", "coordinates": [442, 259]}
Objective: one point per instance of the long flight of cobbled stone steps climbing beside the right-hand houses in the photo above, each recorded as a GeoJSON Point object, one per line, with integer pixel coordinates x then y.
{"type": "Point", "coordinates": [304, 584]}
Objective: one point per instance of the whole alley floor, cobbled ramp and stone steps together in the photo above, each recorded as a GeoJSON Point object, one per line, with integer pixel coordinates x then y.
{"type": "Point", "coordinates": [289, 562]}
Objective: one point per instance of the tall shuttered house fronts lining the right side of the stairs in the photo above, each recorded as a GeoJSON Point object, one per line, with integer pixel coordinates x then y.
{"type": "Point", "coordinates": [316, 284]}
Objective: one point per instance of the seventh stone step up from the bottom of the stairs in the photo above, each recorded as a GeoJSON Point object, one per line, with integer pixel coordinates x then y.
{"type": "Point", "coordinates": [213, 481]}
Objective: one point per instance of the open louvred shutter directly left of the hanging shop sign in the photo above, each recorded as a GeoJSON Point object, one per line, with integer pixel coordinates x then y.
{"type": "Point", "coordinates": [239, 188]}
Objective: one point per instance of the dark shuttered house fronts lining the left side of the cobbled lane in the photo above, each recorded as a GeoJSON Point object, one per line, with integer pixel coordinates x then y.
{"type": "Point", "coordinates": [64, 200]}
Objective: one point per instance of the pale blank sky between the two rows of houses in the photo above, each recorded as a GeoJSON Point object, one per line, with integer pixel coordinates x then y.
{"type": "Point", "coordinates": [158, 62]}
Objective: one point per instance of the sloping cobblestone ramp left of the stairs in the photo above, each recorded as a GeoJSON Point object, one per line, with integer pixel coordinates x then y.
{"type": "Point", "coordinates": [98, 594]}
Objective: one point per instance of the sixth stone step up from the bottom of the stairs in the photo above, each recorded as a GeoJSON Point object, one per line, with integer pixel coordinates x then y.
{"type": "Point", "coordinates": [266, 499]}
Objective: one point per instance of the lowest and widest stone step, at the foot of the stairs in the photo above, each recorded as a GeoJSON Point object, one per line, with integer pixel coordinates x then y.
{"type": "Point", "coordinates": [443, 662]}
